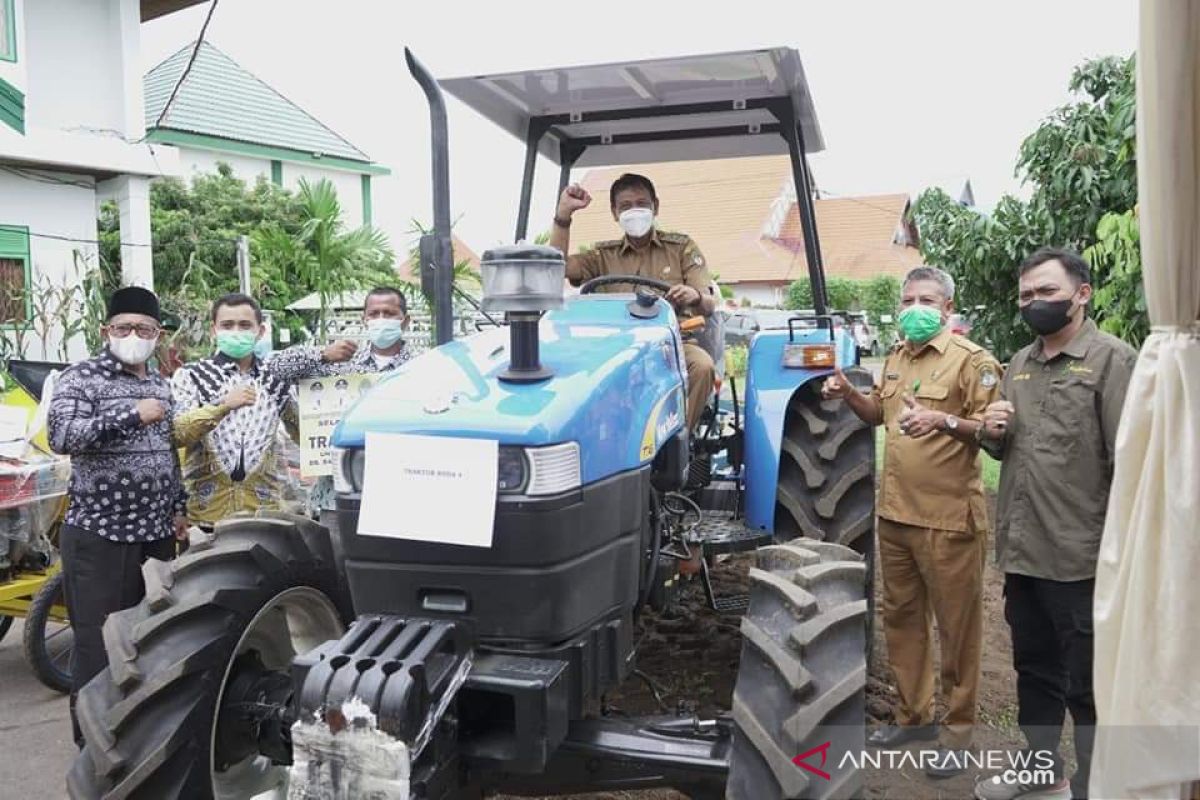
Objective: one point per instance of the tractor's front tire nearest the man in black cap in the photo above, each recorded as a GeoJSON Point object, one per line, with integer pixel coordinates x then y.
{"type": "Point", "coordinates": [148, 719]}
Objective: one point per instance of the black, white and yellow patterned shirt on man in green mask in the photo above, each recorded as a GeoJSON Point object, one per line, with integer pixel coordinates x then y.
{"type": "Point", "coordinates": [233, 461]}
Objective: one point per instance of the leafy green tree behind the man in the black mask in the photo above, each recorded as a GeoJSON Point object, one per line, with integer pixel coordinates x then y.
{"type": "Point", "coordinates": [1081, 165]}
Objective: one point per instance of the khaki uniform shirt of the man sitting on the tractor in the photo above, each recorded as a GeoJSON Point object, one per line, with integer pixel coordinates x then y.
{"type": "Point", "coordinates": [669, 257]}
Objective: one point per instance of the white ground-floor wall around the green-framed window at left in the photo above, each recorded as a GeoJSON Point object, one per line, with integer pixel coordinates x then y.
{"type": "Point", "coordinates": [61, 212]}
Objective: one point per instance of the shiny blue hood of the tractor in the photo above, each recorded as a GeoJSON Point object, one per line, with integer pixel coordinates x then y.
{"type": "Point", "coordinates": [617, 389]}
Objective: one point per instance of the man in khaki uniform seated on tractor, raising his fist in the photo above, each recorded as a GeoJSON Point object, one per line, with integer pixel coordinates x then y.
{"type": "Point", "coordinates": [650, 254]}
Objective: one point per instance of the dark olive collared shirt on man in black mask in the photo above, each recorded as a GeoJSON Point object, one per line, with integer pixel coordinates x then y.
{"type": "Point", "coordinates": [1058, 455]}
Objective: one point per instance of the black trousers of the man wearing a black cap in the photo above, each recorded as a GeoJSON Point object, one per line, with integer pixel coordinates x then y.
{"type": "Point", "coordinates": [100, 578]}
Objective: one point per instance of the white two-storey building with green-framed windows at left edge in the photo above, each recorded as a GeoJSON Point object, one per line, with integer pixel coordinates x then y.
{"type": "Point", "coordinates": [73, 129]}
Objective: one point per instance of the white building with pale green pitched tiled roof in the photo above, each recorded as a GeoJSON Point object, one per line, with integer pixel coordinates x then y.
{"type": "Point", "coordinates": [223, 113]}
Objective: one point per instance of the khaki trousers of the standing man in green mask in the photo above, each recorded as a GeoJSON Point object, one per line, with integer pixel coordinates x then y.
{"type": "Point", "coordinates": [931, 574]}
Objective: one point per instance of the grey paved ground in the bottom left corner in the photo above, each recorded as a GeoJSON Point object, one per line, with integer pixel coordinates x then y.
{"type": "Point", "coordinates": [37, 729]}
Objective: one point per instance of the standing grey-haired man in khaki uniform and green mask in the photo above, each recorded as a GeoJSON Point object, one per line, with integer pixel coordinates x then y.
{"type": "Point", "coordinates": [933, 522]}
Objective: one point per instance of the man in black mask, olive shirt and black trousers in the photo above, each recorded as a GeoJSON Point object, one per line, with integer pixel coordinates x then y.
{"type": "Point", "coordinates": [1057, 434]}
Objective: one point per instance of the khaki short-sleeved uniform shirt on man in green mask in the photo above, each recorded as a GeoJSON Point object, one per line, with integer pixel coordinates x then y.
{"type": "Point", "coordinates": [935, 482]}
